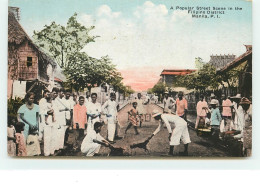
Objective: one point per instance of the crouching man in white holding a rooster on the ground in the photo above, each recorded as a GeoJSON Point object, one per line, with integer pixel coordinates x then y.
{"type": "Point", "coordinates": [92, 142]}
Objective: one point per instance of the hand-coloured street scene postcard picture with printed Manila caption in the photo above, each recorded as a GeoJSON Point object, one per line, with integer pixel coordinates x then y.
{"type": "Point", "coordinates": [147, 79]}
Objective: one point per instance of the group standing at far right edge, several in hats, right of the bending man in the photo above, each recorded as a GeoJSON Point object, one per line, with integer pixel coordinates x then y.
{"type": "Point", "coordinates": [232, 116]}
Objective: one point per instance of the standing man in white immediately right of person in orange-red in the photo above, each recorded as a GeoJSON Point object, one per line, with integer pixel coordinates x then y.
{"type": "Point", "coordinates": [93, 111]}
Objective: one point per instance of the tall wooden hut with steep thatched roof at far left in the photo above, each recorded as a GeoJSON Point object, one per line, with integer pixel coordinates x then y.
{"type": "Point", "coordinates": [19, 45]}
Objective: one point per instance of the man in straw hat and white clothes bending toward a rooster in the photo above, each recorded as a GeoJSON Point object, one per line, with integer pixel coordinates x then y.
{"type": "Point", "coordinates": [180, 131]}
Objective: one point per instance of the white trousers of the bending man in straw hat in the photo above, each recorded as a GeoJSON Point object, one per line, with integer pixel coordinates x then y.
{"type": "Point", "coordinates": [180, 132]}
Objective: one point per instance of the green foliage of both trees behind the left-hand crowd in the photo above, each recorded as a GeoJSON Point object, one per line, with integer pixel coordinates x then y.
{"type": "Point", "coordinates": [65, 43]}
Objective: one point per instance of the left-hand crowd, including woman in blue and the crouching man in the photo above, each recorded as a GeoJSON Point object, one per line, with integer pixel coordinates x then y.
{"type": "Point", "coordinates": [56, 114]}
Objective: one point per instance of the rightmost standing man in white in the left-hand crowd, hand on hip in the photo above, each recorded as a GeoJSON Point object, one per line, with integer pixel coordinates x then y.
{"type": "Point", "coordinates": [110, 107]}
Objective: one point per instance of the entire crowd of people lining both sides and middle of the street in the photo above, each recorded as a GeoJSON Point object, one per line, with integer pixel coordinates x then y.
{"type": "Point", "coordinates": [59, 112]}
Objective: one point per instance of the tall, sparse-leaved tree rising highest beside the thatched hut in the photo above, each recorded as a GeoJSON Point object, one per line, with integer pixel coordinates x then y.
{"type": "Point", "coordinates": [61, 42]}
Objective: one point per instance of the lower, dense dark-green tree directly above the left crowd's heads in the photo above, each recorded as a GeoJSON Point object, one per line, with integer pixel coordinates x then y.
{"type": "Point", "coordinates": [87, 72]}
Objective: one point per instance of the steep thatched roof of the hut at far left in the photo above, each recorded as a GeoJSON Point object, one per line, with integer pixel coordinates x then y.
{"type": "Point", "coordinates": [17, 35]}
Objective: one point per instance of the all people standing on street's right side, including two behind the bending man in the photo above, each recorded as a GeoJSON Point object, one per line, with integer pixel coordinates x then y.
{"type": "Point", "coordinates": [228, 116]}
